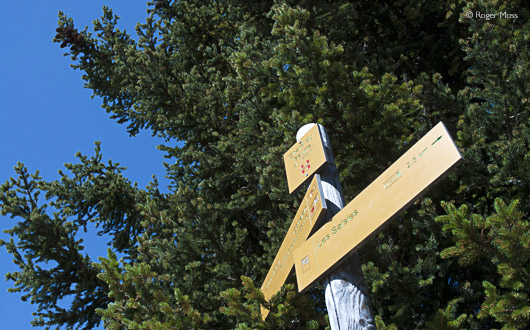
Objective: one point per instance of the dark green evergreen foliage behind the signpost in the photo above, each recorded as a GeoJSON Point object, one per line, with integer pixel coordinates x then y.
{"type": "Point", "coordinates": [234, 80]}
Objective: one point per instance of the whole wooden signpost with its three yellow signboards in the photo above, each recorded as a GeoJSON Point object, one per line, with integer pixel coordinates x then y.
{"type": "Point", "coordinates": [321, 255]}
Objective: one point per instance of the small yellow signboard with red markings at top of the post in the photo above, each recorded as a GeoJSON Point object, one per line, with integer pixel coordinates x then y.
{"type": "Point", "coordinates": [304, 158]}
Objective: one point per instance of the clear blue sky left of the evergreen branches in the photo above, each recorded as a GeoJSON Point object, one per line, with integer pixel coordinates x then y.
{"type": "Point", "coordinates": [46, 115]}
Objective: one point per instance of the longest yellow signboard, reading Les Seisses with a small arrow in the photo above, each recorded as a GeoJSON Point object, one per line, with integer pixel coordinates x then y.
{"type": "Point", "coordinates": [404, 181]}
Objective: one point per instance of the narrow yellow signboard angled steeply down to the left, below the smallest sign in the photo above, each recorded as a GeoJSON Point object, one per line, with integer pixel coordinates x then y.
{"type": "Point", "coordinates": [311, 210]}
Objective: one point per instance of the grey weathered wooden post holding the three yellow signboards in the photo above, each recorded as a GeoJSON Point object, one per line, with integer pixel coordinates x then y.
{"type": "Point", "coordinates": [346, 295]}
